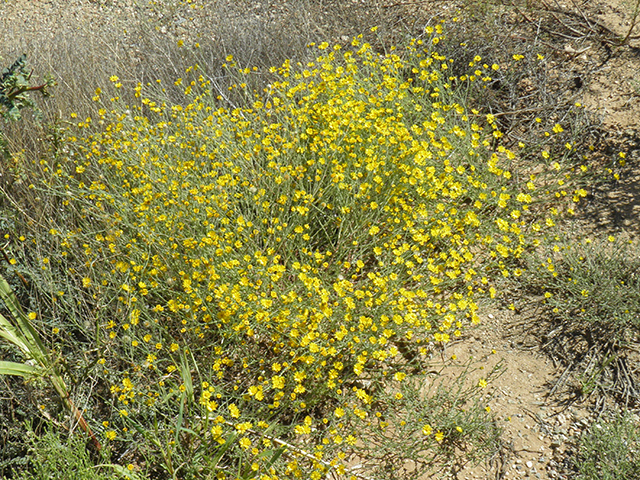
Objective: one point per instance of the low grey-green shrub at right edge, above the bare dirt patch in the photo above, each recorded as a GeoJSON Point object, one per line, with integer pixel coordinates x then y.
{"type": "Point", "coordinates": [590, 291]}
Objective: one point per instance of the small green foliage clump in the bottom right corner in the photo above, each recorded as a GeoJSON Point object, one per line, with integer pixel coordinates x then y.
{"type": "Point", "coordinates": [610, 450]}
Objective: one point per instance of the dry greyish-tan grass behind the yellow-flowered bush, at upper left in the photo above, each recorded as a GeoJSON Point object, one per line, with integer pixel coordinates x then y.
{"type": "Point", "coordinates": [83, 44]}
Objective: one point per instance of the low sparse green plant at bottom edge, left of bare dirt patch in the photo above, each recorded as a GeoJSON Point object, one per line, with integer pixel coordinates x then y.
{"type": "Point", "coordinates": [447, 400]}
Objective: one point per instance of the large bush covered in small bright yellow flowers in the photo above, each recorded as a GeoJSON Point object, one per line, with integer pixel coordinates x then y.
{"type": "Point", "coordinates": [266, 285]}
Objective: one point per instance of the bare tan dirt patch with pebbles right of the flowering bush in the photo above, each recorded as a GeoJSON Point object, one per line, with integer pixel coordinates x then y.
{"type": "Point", "coordinates": [539, 424]}
